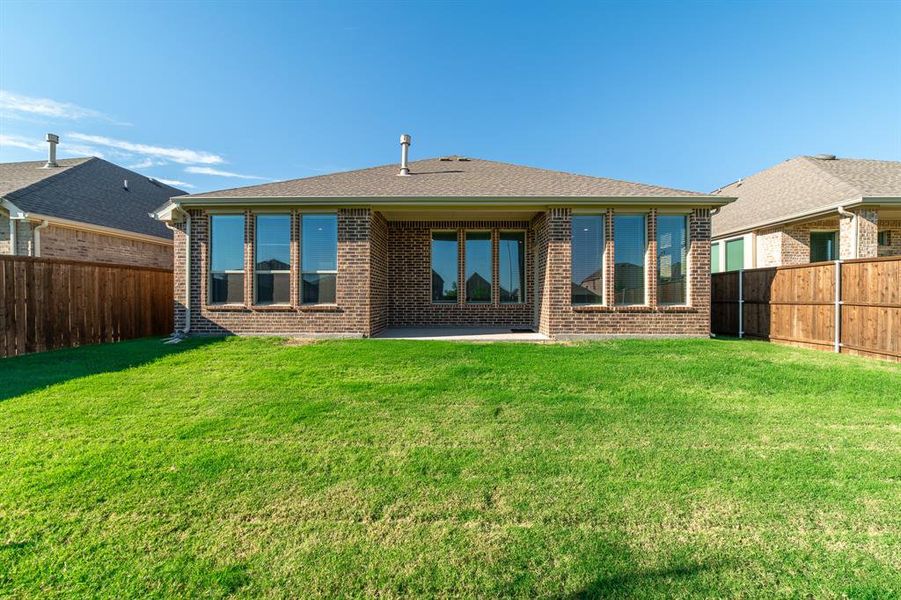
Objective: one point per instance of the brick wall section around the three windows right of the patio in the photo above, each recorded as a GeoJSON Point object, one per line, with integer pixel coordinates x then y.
{"type": "Point", "coordinates": [559, 318]}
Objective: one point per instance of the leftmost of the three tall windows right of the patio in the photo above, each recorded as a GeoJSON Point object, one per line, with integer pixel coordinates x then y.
{"type": "Point", "coordinates": [587, 259]}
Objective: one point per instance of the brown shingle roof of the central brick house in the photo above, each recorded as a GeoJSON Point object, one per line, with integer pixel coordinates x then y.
{"type": "Point", "coordinates": [449, 177]}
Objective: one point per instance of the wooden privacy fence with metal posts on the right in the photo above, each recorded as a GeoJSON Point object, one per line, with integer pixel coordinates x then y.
{"type": "Point", "coordinates": [802, 305]}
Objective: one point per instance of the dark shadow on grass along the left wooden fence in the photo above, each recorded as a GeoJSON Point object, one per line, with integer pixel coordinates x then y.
{"type": "Point", "coordinates": [22, 374]}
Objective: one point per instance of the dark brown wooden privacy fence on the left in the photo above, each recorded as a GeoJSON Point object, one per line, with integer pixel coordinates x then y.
{"type": "Point", "coordinates": [48, 303]}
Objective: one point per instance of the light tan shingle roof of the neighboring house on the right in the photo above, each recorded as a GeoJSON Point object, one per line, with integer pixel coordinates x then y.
{"type": "Point", "coordinates": [802, 185]}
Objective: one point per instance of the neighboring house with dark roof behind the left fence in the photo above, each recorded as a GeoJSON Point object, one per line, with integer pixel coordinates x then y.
{"type": "Point", "coordinates": [83, 209]}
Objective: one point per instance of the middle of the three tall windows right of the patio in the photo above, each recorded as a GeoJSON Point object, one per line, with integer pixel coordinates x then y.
{"type": "Point", "coordinates": [629, 242]}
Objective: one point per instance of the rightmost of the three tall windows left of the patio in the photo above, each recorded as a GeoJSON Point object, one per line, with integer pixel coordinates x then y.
{"type": "Point", "coordinates": [318, 258]}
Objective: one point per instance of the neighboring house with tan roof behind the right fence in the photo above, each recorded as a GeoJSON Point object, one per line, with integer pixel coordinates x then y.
{"type": "Point", "coordinates": [810, 209]}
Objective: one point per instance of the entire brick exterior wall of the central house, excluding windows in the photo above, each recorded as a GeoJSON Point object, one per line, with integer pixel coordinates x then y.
{"type": "Point", "coordinates": [384, 280]}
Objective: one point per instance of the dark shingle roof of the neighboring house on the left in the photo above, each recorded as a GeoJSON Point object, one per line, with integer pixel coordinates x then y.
{"type": "Point", "coordinates": [88, 190]}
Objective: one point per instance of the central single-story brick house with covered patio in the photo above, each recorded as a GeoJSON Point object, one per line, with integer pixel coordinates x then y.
{"type": "Point", "coordinates": [444, 242]}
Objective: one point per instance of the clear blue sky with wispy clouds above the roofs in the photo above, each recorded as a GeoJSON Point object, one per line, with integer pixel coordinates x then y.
{"type": "Point", "coordinates": [689, 95]}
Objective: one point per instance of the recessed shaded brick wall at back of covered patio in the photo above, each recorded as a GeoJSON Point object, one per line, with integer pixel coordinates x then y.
{"type": "Point", "coordinates": [410, 279]}
